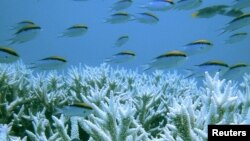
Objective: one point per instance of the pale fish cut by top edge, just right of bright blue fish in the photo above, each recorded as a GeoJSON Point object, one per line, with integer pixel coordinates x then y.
{"type": "Point", "coordinates": [187, 4]}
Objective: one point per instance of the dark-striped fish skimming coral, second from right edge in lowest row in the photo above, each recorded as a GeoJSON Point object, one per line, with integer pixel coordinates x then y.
{"type": "Point", "coordinates": [210, 66]}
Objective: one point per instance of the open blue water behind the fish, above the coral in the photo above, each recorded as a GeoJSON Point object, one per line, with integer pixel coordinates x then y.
{"type": "Point", "coordinates": [175, 29]}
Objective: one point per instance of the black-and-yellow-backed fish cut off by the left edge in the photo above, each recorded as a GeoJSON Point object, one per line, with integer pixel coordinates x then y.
{"type": "Point", "coordinates": [8, 55]}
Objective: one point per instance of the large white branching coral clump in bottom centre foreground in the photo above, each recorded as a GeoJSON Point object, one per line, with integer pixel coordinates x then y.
{"type": "Point", "coordinates": [113, 121]}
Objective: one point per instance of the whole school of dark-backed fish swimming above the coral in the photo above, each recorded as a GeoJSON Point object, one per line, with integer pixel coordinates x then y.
{"type": "Point", "coordinates": [27, 30]}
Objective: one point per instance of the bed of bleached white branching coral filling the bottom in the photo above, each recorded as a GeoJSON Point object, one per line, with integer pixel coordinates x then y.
{"type": "Point", "coordinates": [115, 105]}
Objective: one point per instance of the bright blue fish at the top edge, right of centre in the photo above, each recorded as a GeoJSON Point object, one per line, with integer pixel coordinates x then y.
{"type": "Point", "coordinates": [159, 5]}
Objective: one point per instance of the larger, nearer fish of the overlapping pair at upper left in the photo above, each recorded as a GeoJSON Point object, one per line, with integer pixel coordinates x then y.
{"type": "Point", "coordinates": [25, 34]}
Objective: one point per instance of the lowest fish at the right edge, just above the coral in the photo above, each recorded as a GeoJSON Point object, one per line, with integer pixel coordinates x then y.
{"type": "Point", "coordinates": [236, 71]}
